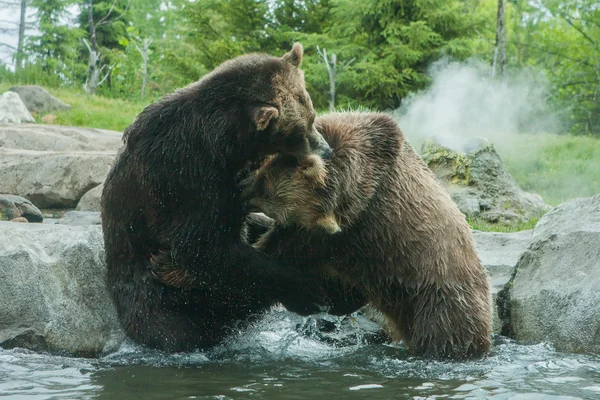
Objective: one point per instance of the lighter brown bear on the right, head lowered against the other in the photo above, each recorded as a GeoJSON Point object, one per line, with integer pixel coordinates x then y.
{"type": "Point", "coordinates": [377, 220]}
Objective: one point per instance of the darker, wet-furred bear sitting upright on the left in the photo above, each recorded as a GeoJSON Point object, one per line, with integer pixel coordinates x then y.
{"type": "Point", "coordinates": [173, 190]}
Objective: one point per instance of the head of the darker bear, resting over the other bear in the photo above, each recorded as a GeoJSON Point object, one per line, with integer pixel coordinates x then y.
{"type": "Point", "coordinates": [272, 91]}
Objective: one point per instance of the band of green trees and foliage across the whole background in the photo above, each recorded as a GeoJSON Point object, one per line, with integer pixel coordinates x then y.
{"type": "Point", "coordinates": [389, 44]}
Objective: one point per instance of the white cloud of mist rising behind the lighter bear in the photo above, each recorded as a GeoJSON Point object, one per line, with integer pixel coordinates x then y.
{"type": "Point", "coordinates": [463, 102]}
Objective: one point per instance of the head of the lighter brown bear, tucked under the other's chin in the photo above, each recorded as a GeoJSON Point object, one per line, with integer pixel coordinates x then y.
{"type": "Point", "coordinates": [292, 191]}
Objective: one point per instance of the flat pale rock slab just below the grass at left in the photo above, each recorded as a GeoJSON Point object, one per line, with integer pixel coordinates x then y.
{"type": "Point", "coordinates": [58, 138]}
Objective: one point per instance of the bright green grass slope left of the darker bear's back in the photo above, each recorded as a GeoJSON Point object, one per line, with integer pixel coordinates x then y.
{"type": "Point", "coordinates": [91, 111]}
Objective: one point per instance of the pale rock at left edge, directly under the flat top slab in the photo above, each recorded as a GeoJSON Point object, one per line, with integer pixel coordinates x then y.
{"type": "Point", "coordinates": [52, 179]}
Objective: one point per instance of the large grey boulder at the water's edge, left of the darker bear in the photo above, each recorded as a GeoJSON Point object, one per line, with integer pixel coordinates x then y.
{"type": "Point", "coordinates": [53, 291]}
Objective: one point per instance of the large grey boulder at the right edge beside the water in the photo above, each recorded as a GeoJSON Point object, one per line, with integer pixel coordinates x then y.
{"type": "Point", "coordinates": [554, 295]}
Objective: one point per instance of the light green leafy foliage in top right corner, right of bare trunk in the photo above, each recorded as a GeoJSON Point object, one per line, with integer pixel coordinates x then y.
{"type": "Point", "coordinates": [563, 37]}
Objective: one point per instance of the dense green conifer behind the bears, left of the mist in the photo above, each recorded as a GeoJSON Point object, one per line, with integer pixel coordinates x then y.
{"type": "Point", "coordinates": [393, 42]}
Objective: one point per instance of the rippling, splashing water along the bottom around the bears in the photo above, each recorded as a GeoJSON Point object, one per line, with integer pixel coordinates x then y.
{"type": "Point", "coordinates": [280, 358]}
